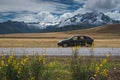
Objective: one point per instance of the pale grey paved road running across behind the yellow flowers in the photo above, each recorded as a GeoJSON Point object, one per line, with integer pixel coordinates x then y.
{"type": "Point", "coordinates": [61, 51]}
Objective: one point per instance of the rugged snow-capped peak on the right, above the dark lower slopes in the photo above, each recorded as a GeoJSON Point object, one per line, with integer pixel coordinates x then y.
{"type": "Point", "coordinates": [88, 19]}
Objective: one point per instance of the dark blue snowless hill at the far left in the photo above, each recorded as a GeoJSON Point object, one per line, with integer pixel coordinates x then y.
{"type": "Point", "coordinates": [16, 27]}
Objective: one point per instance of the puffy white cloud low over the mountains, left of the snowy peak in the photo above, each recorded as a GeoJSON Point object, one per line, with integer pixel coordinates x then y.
{"type": "Point", "coordinates": [42, 17]}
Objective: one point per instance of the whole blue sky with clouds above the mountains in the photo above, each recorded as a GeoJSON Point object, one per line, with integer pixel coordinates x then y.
{"type": "Point", "coordinates": [51, 10]}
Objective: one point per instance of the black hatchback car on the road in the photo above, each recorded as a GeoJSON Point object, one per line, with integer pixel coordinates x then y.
{"type": "Point", "coordinates": [76, 41]}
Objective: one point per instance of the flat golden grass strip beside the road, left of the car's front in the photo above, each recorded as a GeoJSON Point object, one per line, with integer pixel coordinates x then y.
{"type": "Point", "coordinates": [28, 42]}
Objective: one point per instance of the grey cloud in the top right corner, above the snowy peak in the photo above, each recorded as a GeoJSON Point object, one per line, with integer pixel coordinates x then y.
{"type": "Point", "coordinates": [101, 5]}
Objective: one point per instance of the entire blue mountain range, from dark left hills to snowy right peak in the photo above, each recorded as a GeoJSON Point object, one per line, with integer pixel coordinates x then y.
{"type": "Point", "coordinates": [75, 22]}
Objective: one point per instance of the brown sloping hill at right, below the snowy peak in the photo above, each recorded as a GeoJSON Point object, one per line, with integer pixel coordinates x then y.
{"type": "Point", "coordinates": [112, 29]}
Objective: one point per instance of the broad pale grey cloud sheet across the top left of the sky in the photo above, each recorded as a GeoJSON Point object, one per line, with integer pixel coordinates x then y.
{"type": "Point", "coordinates": [29, 5]}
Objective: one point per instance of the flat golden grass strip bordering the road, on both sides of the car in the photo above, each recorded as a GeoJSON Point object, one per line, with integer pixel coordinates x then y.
{"type": "Point", "coordinates": [52, 42]}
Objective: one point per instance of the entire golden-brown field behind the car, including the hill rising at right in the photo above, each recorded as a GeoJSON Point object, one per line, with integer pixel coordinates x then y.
{"type": "Point", "coordinates": [104, 36]}
